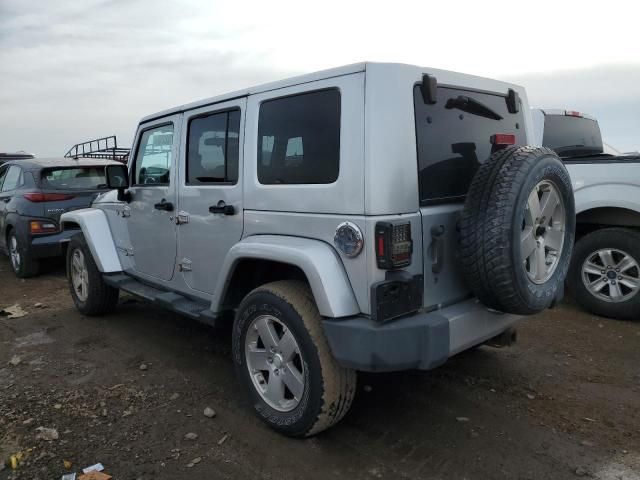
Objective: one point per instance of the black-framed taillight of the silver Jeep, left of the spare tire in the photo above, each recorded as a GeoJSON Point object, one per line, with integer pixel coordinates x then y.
{"type": "Point", "coordinates": [393, 245]}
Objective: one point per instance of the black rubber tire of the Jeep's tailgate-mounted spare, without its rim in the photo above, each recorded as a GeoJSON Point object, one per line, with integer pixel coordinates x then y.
{"type": "Point", "coordinates": [491, 228]}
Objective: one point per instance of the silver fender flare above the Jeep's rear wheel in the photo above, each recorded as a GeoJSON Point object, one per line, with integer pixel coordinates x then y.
{"type": "Point", "coordinates": [324, 270]}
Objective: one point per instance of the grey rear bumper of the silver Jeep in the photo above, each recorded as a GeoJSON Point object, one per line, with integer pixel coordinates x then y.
{"type": "Point", "coordinates": [421, 341]}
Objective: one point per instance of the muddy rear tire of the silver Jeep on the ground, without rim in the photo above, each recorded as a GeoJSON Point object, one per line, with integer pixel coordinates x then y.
{"type": "Point", "coordinates": [329, 388]}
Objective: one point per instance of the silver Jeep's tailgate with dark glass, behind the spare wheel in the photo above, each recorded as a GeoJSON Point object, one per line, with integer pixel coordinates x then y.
{"type": "Point", "coordinates": [454, 136]}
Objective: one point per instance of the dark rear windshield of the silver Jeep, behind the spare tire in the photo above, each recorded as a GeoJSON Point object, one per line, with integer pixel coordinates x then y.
{"type": "Point", "coordinates": [454, 138]}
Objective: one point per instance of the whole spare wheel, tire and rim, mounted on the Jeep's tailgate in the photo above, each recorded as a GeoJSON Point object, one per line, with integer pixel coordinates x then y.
{"type": "Point", "coordinates": [517, 230]}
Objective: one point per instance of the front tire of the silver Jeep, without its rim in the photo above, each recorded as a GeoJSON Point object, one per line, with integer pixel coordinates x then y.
{"type": "Point", "coordinates": [101, 298]}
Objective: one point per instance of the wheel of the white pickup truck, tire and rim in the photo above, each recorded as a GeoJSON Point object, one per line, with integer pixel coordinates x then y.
{"type": "Point", "coordinates": [604, 276]}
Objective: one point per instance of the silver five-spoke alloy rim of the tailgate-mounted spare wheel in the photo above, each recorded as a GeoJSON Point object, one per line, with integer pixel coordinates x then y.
{"type": "Point", "coordinates": [543, 232]}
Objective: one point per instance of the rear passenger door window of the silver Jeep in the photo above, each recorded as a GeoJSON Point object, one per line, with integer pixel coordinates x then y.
{"type": "Point", "coordinates": [213, 150]}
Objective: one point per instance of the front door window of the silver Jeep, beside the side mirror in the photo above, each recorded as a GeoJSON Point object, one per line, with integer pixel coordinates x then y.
{"type": "Point", "coordinates": [153, 158]}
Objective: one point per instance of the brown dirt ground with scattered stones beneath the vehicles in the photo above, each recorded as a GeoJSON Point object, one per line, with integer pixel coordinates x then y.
{"type": "Point", "coordinates": [562, 403]}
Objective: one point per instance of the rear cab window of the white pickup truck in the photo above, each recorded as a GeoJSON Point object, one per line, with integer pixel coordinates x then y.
{"type": "Point", "coordinates": [572, 136]}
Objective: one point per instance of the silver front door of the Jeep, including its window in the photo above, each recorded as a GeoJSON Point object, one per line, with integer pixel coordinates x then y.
{"type": "Point", "coordinates": [151, 223]}
